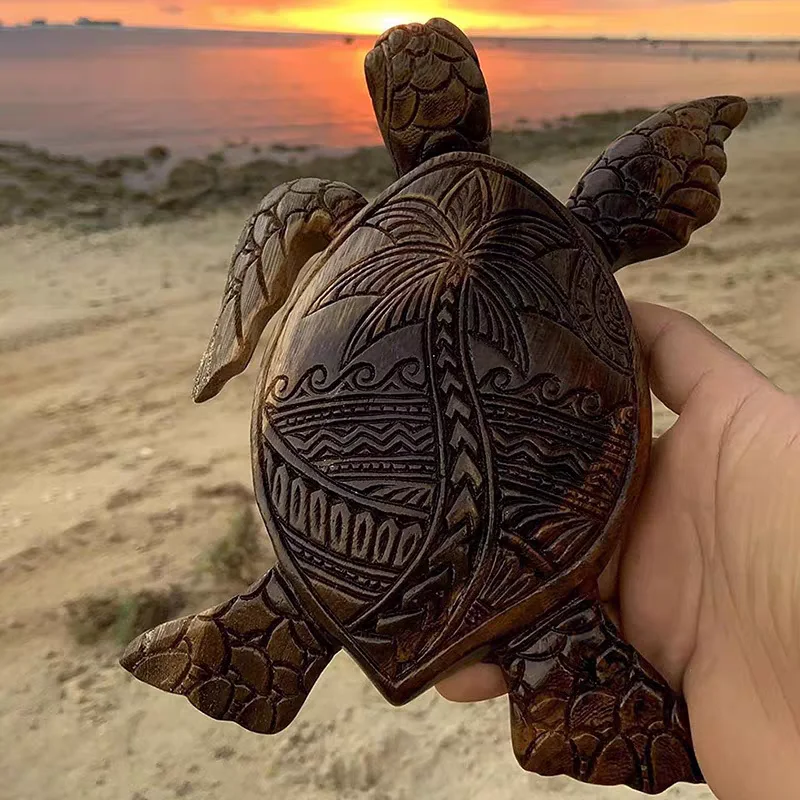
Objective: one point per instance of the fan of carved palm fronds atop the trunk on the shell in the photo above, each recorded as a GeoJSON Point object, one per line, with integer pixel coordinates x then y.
{"type": "Point", "coordinates": [460, 245]}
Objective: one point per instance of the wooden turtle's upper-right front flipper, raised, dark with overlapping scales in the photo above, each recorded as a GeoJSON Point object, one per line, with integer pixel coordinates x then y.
{"type": "Point", "coordinates": [655, 186]}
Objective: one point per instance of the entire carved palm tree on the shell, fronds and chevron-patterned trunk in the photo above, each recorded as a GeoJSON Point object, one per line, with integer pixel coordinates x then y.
{"type": "Point", "coordinates": [465, 272]}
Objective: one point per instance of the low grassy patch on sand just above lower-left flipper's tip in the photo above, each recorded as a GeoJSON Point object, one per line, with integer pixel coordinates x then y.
{"type": "Point", "coordinates": [121, 618]}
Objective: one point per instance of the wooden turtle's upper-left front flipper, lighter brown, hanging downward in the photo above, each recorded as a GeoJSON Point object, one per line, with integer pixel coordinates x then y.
{"type": "Point", "coordinates": [293, 222]}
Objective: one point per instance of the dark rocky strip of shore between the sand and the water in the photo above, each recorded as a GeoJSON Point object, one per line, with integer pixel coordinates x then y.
{"type": "Point", "coordinates": [158, 186]}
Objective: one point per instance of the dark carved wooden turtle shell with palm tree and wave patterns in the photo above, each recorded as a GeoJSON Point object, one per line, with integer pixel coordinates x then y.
{"type": "Point", "coordinates": [450, 422]}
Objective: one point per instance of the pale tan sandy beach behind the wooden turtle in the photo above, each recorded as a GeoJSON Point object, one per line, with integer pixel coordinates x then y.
{"type": "Point", "coordinates": [112, 482]}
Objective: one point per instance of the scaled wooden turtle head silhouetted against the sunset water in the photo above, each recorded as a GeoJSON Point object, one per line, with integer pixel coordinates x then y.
{"type": "Point", "coordinates": [428, 92]}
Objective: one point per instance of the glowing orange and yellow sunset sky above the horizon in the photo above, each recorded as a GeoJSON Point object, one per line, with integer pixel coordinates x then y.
{"type": "Point", "coordinates": [657, 18]}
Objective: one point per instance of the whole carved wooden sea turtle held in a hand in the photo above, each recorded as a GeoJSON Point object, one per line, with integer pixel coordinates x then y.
{"type": "Point", "coordinates": [452, 424]}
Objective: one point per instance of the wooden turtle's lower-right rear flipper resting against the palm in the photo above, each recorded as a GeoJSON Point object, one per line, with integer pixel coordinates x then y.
{"type": "Point", "coordinates": [586, 704]}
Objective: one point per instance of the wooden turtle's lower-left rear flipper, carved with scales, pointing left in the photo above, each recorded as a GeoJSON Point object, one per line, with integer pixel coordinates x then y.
{"type": "Point", "coordinates": [251, 660]}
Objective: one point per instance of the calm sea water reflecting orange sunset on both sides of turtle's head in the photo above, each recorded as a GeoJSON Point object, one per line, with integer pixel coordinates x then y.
{"type": "Point", "coordinates": [103, 92]}
